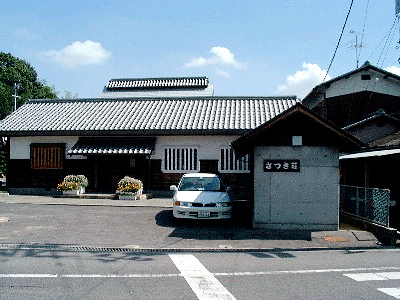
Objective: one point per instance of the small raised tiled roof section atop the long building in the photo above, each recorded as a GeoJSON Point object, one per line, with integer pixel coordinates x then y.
{"type": "Point", "coordinates": [159, 87]}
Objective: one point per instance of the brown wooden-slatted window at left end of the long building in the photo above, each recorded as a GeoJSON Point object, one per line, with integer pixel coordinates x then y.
{"type": "Point", "coordinates": [47, 156]}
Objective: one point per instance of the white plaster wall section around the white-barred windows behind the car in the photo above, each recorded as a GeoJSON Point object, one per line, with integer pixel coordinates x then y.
{"type": "Point", "coordinates": [209, 146]}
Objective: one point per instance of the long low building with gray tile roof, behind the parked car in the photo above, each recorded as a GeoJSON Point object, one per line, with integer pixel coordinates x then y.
{"type": "Point", "coordinates": [154, 139]}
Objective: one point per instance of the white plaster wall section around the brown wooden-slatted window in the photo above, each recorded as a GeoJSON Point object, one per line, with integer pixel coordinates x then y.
{"type": "Point", "coordinates": [20, 146]}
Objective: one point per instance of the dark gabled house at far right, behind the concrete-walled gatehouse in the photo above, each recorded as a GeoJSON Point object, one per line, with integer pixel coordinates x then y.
{"type": "Point", "coordinates": [366, 103]}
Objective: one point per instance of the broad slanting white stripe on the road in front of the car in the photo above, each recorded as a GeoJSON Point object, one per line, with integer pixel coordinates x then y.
{"type": "Point", "coordinates": [202, 282]}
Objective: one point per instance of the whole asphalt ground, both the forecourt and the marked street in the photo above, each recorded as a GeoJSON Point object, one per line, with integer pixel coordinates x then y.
{"type": "Point", "coordinates": [43, 256]}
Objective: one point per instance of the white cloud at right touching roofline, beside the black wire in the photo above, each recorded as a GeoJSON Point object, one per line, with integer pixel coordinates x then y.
{"type": "Point", "coordinates": [303, 81]}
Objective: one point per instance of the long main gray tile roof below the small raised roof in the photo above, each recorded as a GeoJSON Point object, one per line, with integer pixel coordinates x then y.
{"type": "Point", "coordinates": [199, 115]}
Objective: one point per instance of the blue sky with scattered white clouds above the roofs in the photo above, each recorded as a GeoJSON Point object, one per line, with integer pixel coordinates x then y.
{"type": "Point", "coordinates": [245, 48]}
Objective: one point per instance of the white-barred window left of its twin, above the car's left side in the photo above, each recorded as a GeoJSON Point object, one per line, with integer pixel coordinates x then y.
{"type": "Point", "coordinates": [180, 159]}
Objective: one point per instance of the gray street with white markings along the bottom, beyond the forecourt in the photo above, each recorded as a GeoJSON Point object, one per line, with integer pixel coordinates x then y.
{"type": "Point", "coordinates": [332, 274]}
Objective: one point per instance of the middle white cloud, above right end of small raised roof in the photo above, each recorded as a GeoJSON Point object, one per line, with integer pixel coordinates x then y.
{"type": "Point", "coordinates": [219, 56]}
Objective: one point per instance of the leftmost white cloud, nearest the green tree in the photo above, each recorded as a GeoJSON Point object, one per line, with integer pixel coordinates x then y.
{"type": "Point", "coordinates": [80, 54]}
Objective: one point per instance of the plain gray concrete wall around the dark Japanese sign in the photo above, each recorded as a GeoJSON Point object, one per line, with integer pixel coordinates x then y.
{"type": "Point", "coordinates": [297, 200]}
